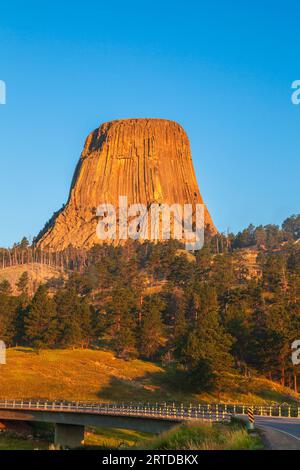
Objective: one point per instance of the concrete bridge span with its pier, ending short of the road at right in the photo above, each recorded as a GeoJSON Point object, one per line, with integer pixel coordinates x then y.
{"type": "Point", "coordinates": [70, 418]}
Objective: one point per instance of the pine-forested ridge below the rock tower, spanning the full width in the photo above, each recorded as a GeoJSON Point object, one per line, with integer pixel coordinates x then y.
{"type": "Point", "coordinates": [204, 313]}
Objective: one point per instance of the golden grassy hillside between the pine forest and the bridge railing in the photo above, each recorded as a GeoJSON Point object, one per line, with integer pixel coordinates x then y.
{"type": "Point", "coordinates": [100, 376]}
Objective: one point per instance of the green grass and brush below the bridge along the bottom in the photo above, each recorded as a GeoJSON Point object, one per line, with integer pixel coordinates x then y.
{"type": "Point", "coordinates": [189, 436]}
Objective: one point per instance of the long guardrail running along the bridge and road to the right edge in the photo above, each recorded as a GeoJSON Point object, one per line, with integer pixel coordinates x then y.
{"type": "Point", "coordinates": [175, 411]}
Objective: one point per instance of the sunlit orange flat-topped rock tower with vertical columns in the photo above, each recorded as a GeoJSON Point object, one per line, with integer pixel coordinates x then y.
{"type": "Point", "coordinates": [147, 160]}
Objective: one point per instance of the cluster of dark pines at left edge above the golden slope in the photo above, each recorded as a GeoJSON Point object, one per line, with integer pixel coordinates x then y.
{"type": "Point", "coordinates": [62, 321]}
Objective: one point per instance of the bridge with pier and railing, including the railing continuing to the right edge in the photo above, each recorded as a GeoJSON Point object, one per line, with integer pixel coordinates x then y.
{"type": "Point", "coordinates": [70, 418]}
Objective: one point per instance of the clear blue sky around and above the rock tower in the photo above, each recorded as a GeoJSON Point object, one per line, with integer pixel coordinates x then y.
{"type": "Point", "coordinates": [222, 69]}
